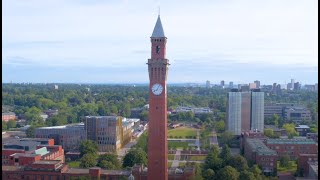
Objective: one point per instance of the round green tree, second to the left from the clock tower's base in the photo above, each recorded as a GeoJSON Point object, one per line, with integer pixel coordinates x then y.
{"type": "Point", "coordinates": [109, 161]}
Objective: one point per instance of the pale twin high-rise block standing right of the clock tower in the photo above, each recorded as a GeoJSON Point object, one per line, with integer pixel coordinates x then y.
{"type": "Point", "coordinates": [245, 111]}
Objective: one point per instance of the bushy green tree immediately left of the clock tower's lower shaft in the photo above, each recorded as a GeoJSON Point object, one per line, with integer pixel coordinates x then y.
{"type": "Point", "coordinates": [134, 156]}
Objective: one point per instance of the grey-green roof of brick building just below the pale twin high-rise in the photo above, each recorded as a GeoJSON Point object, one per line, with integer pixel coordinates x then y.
{"type": "Point", "coordinates": [258, 146]}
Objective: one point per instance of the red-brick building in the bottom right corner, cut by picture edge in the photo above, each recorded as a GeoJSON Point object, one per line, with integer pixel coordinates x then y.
{"type": "Point", "coordinates": [303, 163]}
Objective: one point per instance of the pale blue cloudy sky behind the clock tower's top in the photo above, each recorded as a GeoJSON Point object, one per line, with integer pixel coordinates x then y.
{"type": "Point", "coordinates": [108, 41]}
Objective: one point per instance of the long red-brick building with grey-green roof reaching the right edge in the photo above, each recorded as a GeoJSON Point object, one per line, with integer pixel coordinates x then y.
{"type": "Point", "coordinates": [292, 147]}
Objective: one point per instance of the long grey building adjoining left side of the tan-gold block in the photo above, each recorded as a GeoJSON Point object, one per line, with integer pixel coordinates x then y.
{"type": "Point", "coordinates": [68, 136]}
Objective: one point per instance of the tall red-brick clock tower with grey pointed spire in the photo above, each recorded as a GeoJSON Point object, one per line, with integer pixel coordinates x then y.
{"type": "Point", "coordinates": [157, 142]}
